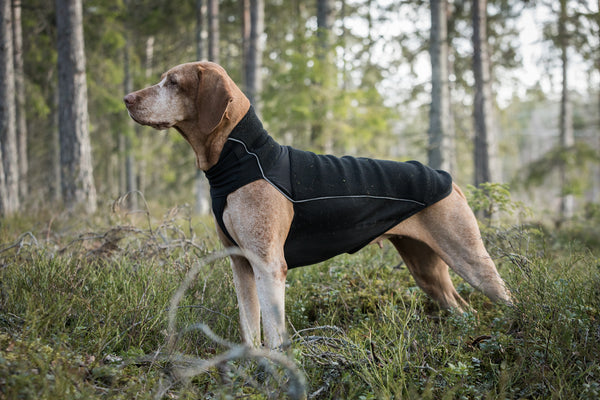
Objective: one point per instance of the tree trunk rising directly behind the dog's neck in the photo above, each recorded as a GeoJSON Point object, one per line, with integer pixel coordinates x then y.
{"type": "Point", "coordinates": [253, 54]}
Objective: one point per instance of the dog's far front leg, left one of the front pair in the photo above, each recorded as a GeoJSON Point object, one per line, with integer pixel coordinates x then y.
{"type": "Point", "coordinates": [248, 304]}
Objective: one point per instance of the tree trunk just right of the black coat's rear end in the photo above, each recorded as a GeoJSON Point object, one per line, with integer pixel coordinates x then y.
{"type": "Point", "coordinates": [484, 149]}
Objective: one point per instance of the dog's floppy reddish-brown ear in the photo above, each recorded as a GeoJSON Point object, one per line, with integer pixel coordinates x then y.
{"type": "Point", "coordinates": [213, 98]}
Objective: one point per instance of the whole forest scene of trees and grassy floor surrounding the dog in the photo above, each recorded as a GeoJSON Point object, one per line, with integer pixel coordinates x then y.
{"type": "Point", "coordinates": [103, 221]}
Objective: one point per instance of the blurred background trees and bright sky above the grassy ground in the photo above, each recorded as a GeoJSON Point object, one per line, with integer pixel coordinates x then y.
{"type": "Point", "coordinates": [388, 79]}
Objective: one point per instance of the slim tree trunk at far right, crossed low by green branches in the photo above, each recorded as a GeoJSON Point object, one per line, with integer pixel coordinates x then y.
{"type": "Point", "coordinates": [566, 136]}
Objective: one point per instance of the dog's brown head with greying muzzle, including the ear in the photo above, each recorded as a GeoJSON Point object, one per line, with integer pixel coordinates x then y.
{"type": "Point", "coordinates": [197, 93]}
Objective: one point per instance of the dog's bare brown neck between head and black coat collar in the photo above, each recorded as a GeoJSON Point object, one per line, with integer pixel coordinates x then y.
{"type": "Point", "coordinates": [208, 148]}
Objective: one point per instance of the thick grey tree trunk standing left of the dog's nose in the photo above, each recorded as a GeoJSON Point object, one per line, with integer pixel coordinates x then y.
{"type": "Point", "coordinates": [75, 149]}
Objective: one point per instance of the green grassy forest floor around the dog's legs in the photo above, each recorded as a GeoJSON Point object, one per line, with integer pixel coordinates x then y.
{"type": "Point", "coordinates": [85, 306]}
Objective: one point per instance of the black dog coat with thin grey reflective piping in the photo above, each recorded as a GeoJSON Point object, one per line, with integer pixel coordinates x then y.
{"type": "Point", "coordinates": [340, 204]}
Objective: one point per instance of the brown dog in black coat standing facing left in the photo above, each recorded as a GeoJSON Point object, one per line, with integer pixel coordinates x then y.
{"type": "Point", "coordinates": [268, 201]}
